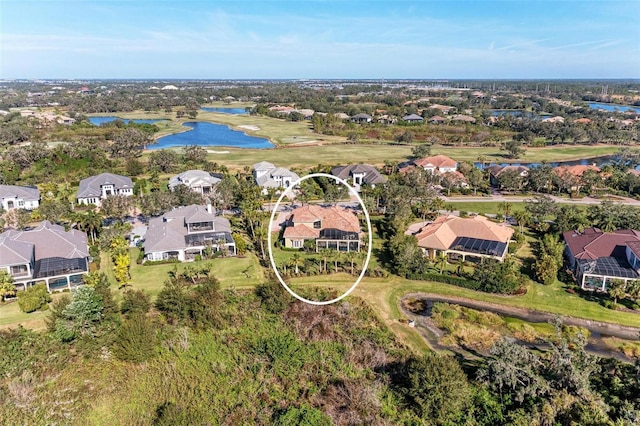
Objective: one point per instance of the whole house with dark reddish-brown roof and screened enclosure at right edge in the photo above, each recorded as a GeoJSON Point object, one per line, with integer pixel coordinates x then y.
{"type": "Point", "coordinates": [597, 257]}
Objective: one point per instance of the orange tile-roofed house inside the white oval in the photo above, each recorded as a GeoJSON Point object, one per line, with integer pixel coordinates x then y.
{"type": "Point", "coordinates": [332, 227]}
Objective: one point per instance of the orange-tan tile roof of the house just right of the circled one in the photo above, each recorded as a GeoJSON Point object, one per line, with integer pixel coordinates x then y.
{"type": "Point", "coordinates": [442, 232]}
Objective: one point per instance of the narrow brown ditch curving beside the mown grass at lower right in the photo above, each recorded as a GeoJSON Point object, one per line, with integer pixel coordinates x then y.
{"type": "Point", "coordinates": [606, 329]}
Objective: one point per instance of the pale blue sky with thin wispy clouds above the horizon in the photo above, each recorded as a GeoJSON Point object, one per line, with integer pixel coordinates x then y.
{"type": "Point", "coordinates": [320, 39]}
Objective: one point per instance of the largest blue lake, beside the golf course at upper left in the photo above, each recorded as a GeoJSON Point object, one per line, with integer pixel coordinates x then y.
{"type": "Point", "coordinates": [210, 134]}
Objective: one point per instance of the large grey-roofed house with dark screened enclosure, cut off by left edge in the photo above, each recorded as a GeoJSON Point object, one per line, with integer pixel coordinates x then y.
{"type": "Point", "coordinates": [47, 253]}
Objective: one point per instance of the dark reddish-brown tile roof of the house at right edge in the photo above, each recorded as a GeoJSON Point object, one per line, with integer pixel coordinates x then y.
{"type": "Point", "coordinates": [592, 243]}
